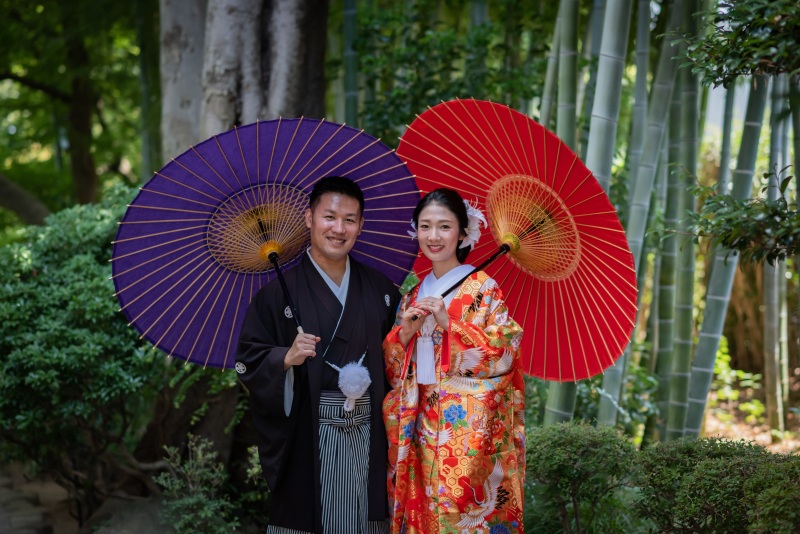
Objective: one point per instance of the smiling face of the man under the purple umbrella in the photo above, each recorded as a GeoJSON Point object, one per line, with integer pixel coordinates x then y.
{"type": "Point", "coordinates": [335, 223]}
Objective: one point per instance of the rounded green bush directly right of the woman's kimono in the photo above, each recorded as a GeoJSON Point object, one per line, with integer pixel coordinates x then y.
{"type": "Point", "coordinates": [576, 473]}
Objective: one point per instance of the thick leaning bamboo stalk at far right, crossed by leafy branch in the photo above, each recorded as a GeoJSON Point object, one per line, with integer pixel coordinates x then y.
{"type": "Point", "coordinates": [724, 268]}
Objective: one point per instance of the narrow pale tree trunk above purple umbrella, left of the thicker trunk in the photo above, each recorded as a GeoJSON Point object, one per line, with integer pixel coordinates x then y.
{"type": "Point", "coordinates": [182, 24]}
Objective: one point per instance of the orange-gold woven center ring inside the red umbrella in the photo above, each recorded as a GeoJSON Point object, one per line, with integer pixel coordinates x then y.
{"type": "Point", "coordinates": [533, 220]}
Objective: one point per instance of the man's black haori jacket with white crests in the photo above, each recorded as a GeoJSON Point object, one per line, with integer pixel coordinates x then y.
{"type": "Point", "coordinates": [289, 446]}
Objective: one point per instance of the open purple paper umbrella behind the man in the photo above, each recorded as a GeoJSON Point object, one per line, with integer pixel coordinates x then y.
{"type": "Point", "coordinates": [191, 250]}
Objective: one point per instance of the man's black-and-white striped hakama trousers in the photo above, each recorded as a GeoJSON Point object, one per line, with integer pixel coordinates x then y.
{"type": "Point", "coordinates": [343, 445]}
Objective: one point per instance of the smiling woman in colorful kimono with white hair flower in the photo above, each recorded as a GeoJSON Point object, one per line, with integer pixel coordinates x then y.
{"type": "Point", "coordinates": [454, 417]}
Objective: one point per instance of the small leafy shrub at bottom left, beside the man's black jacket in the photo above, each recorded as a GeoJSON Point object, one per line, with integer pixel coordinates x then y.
{"type": "Point", "coordinates": [195, 501]}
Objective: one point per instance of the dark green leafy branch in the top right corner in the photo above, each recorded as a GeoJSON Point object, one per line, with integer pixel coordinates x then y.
{"type": "Point", "coordinates": [747, 37]}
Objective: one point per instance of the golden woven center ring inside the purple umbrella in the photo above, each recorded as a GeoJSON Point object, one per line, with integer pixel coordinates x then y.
{"type": "Point", "coordinates": [249, 225]}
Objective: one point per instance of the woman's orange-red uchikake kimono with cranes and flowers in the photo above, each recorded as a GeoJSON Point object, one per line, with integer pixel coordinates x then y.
{"type": "Point", "coordinates": [457, 446]}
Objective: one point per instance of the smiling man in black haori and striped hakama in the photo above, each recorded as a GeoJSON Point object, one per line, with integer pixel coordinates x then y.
{"type": "Point", "coordinates": [325, 465]}
